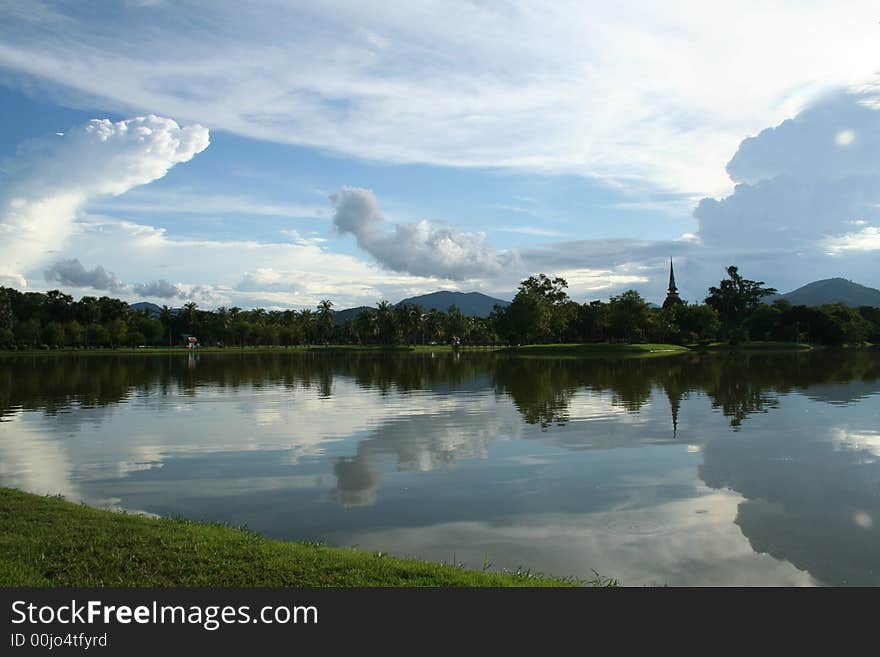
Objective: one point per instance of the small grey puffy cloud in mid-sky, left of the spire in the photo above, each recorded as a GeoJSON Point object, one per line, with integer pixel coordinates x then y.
{"type": "Point", "coordinates": [423, 248]}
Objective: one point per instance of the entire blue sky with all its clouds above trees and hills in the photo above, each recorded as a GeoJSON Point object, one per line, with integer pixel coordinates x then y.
{"type": "Point", "coordinates": [273, 154]}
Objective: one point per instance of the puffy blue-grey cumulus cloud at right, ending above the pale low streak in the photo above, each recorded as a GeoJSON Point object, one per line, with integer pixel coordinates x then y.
{"type": "Point", "coordinates": [813, 178]}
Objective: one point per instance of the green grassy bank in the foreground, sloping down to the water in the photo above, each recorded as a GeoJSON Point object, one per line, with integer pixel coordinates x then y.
{"type": "Point", "coordinates": [46, 541]}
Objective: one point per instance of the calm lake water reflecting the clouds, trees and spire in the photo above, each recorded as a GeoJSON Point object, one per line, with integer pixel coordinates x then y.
{"type": "Point", "coordinates": [746, 469]}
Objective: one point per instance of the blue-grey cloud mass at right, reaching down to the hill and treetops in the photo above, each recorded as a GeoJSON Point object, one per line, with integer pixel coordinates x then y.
{"type": "Point", "coordinates": [801, 188]}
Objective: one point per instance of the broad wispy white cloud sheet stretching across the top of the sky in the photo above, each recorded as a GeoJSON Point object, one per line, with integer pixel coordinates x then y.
{"type": "Point", "coordinates": [628, 91]}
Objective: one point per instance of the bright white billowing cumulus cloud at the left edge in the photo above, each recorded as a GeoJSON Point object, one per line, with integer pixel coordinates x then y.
{"type": "Point", "coordinates": [50, 179]}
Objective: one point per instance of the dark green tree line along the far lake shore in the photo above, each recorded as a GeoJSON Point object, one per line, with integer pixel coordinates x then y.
{"type": "Point", "coordinates": [541, 312]}
